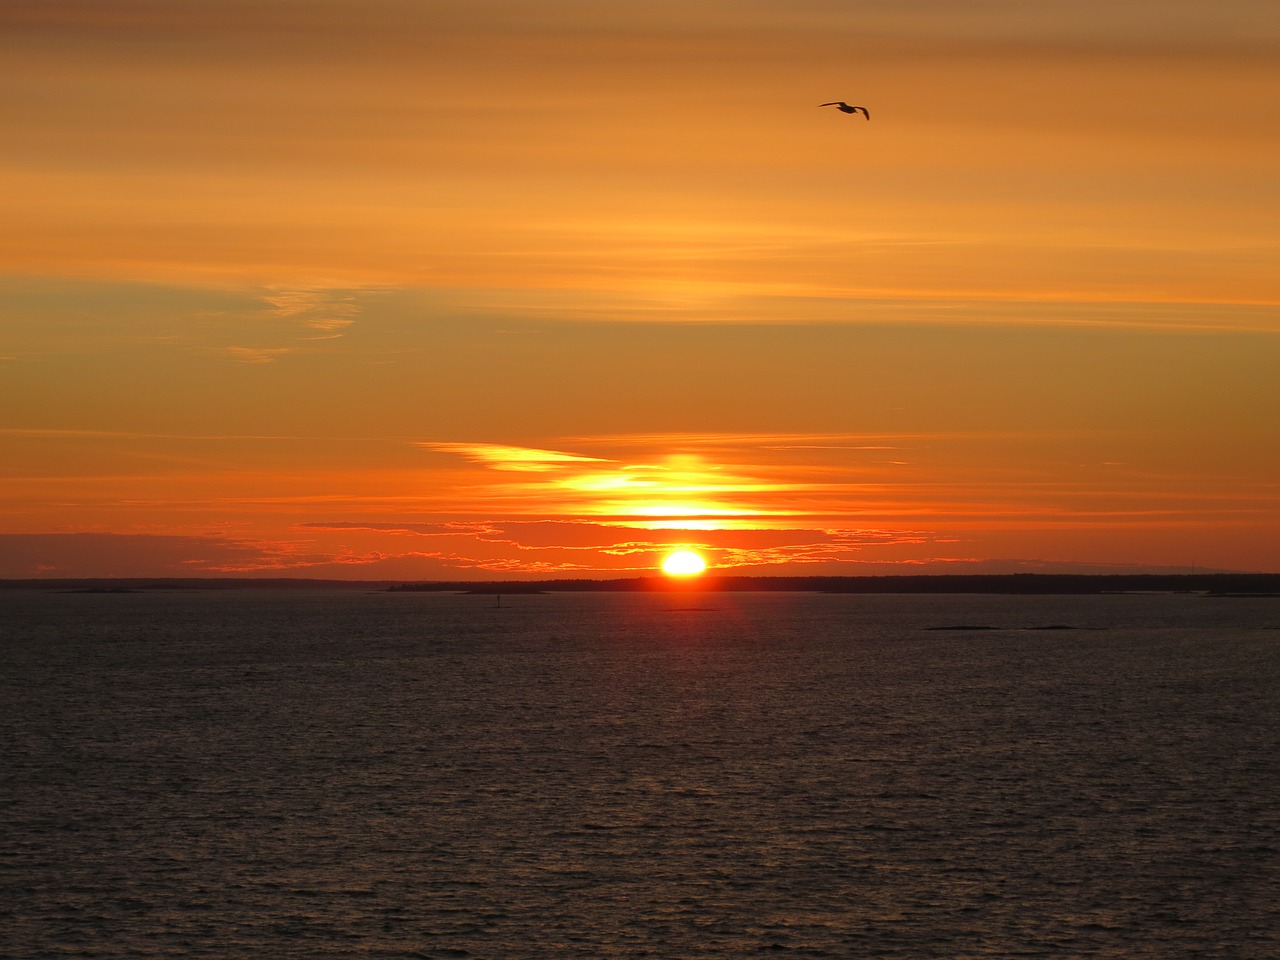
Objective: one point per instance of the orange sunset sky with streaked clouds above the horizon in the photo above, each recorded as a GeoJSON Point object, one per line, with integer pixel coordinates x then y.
{"type": "Point", "coordinates": [474, 290]}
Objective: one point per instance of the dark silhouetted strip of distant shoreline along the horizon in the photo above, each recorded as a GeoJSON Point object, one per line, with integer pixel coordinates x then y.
{"type": "Point", "coordinates": [1030, 584]}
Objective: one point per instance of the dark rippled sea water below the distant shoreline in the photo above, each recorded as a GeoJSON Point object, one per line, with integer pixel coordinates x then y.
{"type": "Point", "coordinates": [272, 775]}
